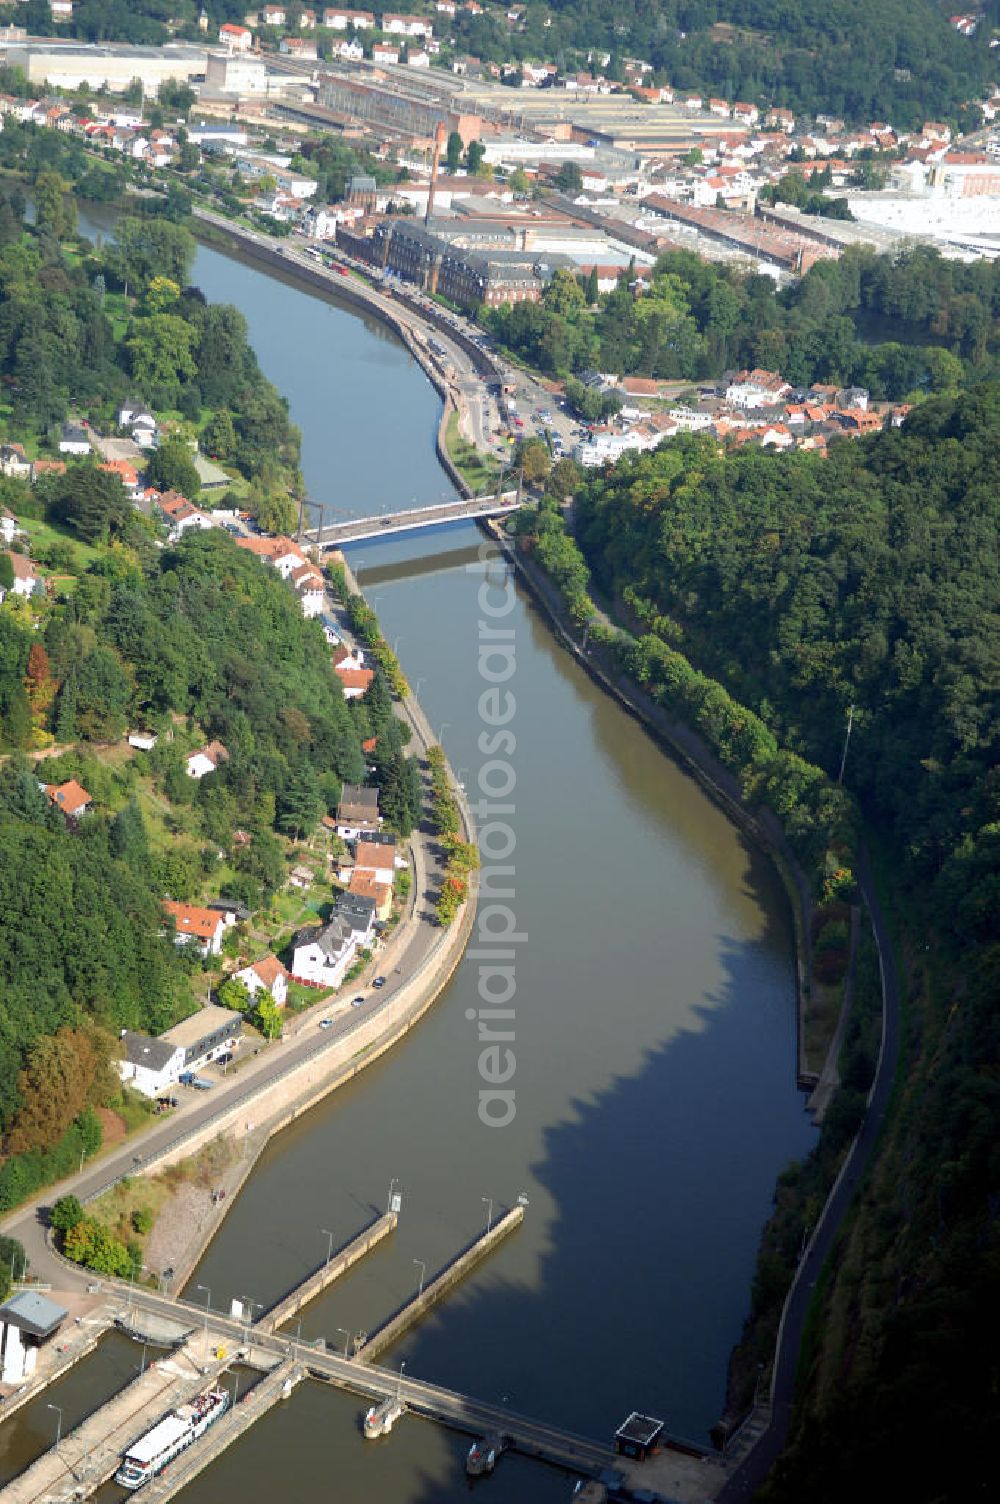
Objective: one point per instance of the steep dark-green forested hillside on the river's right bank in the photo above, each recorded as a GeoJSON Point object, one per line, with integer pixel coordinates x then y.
{"type": "Point", "coordinates": [870, 580]}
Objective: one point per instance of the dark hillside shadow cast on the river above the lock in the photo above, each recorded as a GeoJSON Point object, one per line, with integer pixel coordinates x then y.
{"type": "Point", "coordinates": [643, 1288]}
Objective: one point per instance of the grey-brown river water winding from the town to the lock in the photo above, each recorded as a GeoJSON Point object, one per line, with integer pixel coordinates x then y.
{"type": "Point", "coordinates": [655, 1028]}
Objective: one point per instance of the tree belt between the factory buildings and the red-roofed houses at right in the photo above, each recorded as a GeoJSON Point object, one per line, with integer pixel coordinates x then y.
{"type": "Point", "coordinates": [900, 326]}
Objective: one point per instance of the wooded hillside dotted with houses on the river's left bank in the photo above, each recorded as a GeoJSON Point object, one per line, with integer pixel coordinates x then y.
{"type": "Point", "coordinates": [193, 641]}
